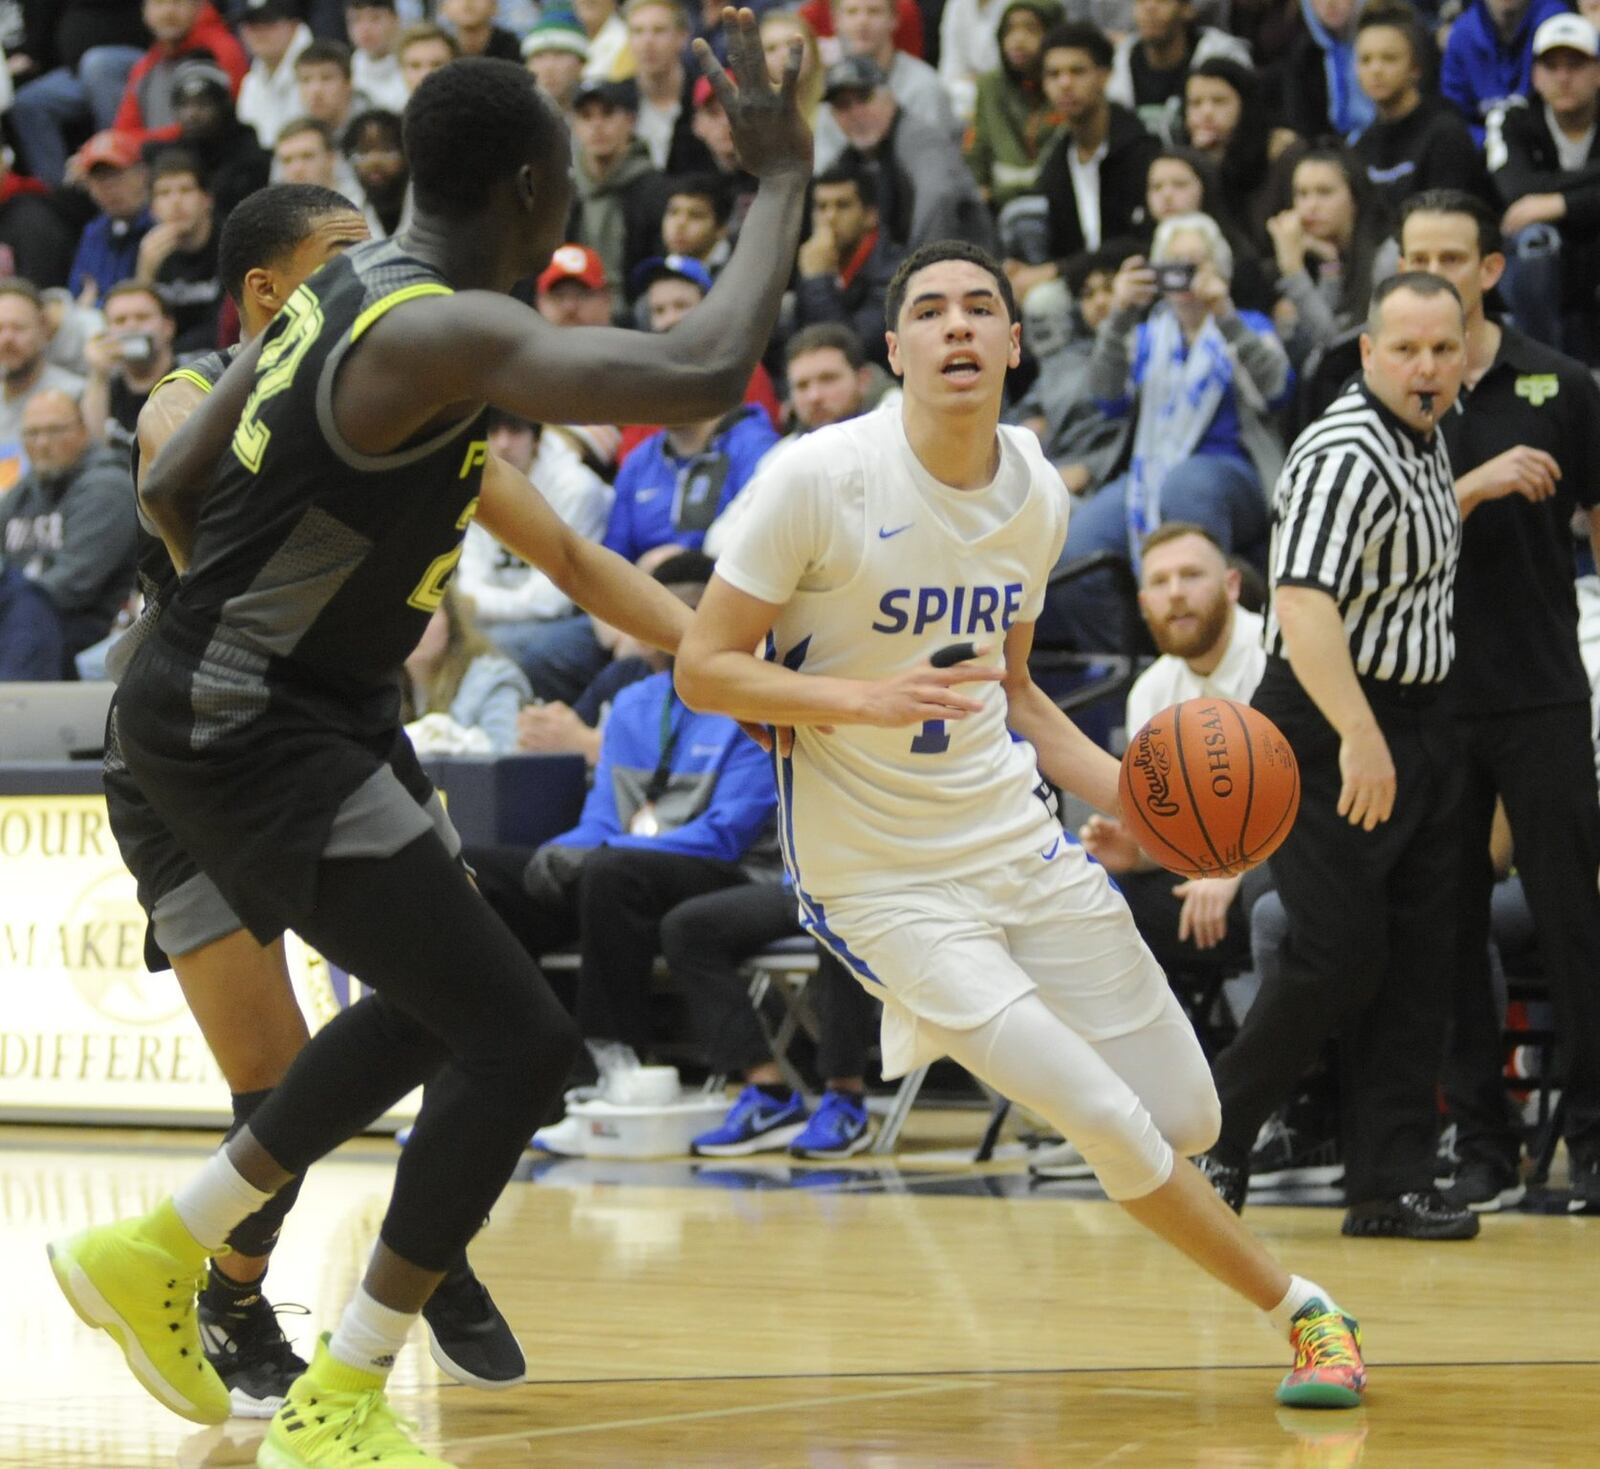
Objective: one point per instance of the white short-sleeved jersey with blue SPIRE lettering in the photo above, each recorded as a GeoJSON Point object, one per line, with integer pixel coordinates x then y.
{"type": "Point", "coordinates": [878, 566]}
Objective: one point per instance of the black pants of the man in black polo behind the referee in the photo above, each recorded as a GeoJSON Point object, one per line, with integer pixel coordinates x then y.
{"type": "Point", "coordinates": [1542, 764]}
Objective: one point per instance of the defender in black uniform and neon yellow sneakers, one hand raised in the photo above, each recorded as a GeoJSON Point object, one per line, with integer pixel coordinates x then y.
{"type": "Point", "coordinates": [262, 714]}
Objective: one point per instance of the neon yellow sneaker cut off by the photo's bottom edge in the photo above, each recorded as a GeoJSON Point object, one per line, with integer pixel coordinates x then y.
{"type": "Point", "coordinates": [337, 1417]}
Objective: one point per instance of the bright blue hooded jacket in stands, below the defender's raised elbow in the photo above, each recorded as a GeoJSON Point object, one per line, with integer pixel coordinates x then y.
{"type": "Point", "coordinates": [647, 514]}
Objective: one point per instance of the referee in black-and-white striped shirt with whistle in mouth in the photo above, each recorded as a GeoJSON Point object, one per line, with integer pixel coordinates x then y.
{"type": "Point", "coordinates": [1359, 642]}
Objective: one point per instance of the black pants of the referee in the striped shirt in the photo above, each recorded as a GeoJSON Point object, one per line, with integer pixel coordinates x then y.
{"type": "Point", "coordinates": [1370, 947]}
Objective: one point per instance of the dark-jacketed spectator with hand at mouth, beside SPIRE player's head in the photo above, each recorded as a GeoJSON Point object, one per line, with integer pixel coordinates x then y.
{"type": "Point", "coordinates": [847, 263]}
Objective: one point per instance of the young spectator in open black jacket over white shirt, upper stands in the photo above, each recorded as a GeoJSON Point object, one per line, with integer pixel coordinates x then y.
{"type": "Point", "coordinates": [1094, 177]}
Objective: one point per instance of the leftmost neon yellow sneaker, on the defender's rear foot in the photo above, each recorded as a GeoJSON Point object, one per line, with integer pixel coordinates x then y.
{"type": "Point", "coordinates": [138, 1281]}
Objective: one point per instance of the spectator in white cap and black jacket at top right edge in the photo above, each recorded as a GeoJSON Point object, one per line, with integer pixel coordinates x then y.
{"type": "Point", "coordinates": [1545, 161]}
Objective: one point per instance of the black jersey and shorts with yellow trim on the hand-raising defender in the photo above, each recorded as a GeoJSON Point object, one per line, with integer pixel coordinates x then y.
{"type": "Point", "coordinates": [263, 714]}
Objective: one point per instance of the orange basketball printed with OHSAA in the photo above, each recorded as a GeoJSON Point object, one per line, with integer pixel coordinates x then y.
{"type": "Point", "coordinates": [1209, 788]}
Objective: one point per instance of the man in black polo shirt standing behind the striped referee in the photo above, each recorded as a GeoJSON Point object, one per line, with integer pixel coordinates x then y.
{"type": "Point", "coordinates": [1526, 452]}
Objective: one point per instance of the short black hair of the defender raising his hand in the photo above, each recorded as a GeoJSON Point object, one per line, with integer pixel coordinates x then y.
{"type": "Point", "coordinates": [473, 124]}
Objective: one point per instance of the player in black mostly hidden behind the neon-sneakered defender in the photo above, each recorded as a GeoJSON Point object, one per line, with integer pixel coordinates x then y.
{"type": "Point", "coordinates": [239, 990]}
